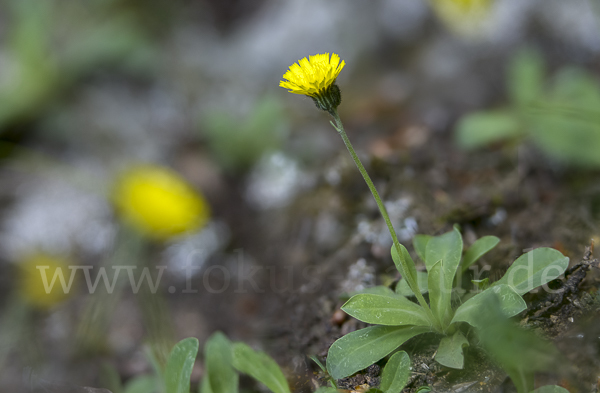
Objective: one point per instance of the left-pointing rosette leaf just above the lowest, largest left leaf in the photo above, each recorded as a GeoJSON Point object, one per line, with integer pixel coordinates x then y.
{"type": "Point", "coordinates": [386, 310]}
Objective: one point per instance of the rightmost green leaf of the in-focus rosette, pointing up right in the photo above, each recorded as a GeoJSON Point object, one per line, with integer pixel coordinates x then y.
{"type": "Point", "coordinates": [535, 268]}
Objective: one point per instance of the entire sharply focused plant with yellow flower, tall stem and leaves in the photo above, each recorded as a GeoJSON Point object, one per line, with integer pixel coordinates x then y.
{"type": "Point", "coordinates": [395, 317]}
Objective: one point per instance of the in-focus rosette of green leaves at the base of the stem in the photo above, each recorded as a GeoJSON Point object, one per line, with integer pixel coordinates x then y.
{"type": "Point", "coordinates": [396, 318]}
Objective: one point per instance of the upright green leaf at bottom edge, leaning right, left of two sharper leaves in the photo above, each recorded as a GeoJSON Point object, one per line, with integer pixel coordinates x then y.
{"type": "Point", "coordinates": [179, 365]}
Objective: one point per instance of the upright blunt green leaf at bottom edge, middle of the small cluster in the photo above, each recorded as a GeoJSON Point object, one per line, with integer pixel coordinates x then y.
{"type": "Point", "coordinates": [220, 374]}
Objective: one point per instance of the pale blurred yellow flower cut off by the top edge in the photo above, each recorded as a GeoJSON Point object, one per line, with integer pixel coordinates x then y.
{"type": "Point", "coordinates": [464, 17]}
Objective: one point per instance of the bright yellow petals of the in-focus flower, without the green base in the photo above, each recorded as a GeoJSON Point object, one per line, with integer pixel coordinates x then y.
{"type": "Point", "coordinates": [314, 75]}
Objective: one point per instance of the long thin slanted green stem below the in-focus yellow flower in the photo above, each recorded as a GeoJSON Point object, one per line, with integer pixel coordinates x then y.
{"type": "Point", "coordinates": [411, 280]}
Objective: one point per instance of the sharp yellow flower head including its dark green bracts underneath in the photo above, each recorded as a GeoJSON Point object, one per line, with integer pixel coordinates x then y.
{"type": "Point", "coordinates": [315, 77]}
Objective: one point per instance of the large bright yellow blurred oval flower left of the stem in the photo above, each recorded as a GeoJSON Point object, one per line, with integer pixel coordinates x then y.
{"type": "Point", "coordinates": [159, 203]}
